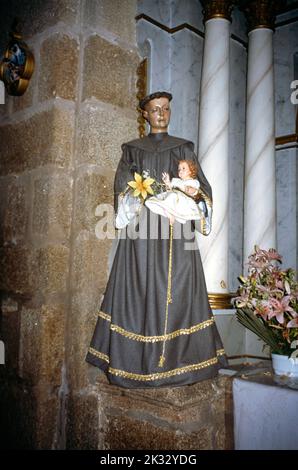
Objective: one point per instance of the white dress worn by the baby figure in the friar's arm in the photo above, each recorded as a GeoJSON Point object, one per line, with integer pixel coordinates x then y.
{"type": "Point", "coordinates": [175, 202]}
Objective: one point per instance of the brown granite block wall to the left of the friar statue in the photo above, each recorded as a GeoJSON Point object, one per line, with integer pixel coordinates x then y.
{"type": "Point", "coordinates": [60, 144]}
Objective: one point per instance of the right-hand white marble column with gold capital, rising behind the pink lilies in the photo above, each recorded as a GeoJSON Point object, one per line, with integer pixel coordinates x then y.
{"type": "Point", "coordinates": [259, 188]}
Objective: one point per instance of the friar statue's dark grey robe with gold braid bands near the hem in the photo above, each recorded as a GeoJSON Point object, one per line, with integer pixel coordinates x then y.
{"type": "Point", "coordinates": [130, 335]}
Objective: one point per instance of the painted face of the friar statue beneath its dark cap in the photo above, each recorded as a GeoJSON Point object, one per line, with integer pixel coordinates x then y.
{"type": "Point", "coordinates": [157, 113]}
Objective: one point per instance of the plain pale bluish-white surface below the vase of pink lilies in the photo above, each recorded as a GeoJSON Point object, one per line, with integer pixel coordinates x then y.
{"type": "Point", "coordinates": [265, 416]}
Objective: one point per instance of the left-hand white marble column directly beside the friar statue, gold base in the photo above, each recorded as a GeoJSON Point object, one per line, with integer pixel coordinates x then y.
{"type": "Point", "coordinates": [213, 144]}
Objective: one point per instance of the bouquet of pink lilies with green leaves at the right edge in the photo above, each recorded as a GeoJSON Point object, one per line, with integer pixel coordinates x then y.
{"type": "Point", "coordinates": [267, 302]}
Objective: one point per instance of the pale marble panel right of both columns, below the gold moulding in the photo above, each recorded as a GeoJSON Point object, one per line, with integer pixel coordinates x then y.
{"type": "Point", "coordinates": [286, 192]}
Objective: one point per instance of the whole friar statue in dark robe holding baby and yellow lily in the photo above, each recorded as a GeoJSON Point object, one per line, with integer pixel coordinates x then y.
{"type": "Point", "coordinates": [155, 327]}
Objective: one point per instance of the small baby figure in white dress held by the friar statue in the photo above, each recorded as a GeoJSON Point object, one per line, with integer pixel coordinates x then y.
{"type": "Point", "coordinates": [175, 203]}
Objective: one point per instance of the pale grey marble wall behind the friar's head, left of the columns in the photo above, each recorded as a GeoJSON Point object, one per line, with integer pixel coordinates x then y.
{"type": "Point", "coordinates": [174, 65]}
